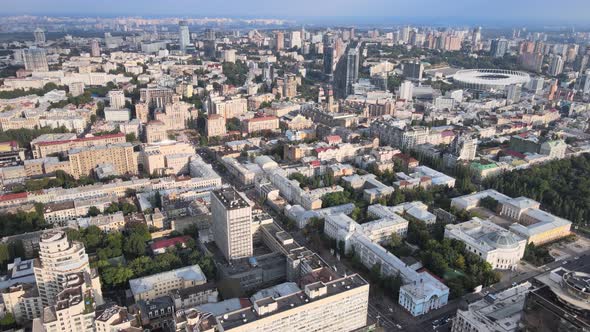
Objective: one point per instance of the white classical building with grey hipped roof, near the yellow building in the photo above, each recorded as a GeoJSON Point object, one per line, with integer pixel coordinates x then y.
{"type": "Point", "coordinates": [497, 246]}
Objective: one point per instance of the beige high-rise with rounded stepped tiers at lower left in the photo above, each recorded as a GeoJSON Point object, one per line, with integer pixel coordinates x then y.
{"type": "Point", "coordinates": [59, 258]}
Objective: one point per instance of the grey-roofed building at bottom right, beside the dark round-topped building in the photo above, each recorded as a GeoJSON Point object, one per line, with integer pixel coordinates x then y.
{"type": "Point", "coordinates": [500, 312]}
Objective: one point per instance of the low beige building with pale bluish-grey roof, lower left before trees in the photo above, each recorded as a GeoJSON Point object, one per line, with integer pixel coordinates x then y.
{"type": "Point", "coordinates": [163, 284]}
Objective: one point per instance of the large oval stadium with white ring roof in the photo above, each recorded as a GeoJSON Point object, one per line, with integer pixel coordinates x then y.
{"type": "Point", "coordinates": [489, 79]}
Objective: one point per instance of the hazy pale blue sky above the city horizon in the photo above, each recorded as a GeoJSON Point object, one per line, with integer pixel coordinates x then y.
{"type": "Point", "coordinates": [534, 11]}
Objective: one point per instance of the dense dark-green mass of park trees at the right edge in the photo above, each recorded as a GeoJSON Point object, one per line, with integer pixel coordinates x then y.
{"type": "Point", "coordinates": [561, 186]}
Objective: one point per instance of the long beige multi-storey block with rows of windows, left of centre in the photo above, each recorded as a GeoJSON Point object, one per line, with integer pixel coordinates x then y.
{"type": "Point", "coordinates": [83, 161]}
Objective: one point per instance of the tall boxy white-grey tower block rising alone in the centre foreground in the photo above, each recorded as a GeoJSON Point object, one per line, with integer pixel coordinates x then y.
{"type": "Point", "coordinates": [232, 219]}
